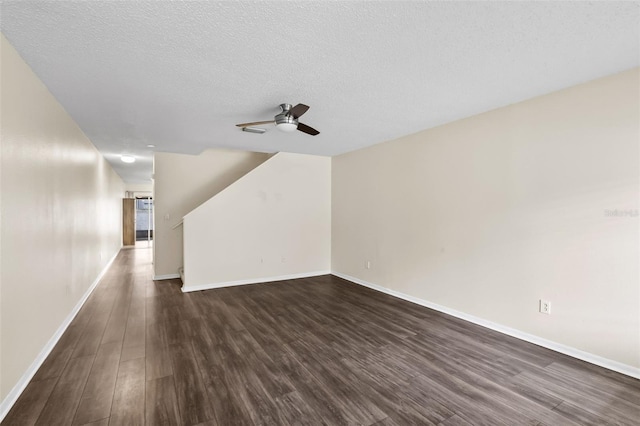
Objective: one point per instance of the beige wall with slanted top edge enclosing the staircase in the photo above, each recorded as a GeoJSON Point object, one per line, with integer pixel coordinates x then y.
{"type": "Point", "coordinates": [274, 222]}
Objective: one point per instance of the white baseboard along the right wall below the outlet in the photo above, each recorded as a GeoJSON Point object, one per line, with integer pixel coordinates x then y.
{"type": "Point", "coordinates": [558, 347]}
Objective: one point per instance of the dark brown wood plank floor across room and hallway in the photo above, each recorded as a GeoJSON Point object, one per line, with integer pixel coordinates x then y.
{"type": "Point", "coordinates": [310, 351]}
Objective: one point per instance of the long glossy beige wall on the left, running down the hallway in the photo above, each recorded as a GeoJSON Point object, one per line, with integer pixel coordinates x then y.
{"type": "Point", "coordinates": [60, 216]}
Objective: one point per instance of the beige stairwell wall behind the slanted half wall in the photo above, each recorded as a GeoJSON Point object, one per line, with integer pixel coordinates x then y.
{"type": "Point", "coordinates": [182, 183]}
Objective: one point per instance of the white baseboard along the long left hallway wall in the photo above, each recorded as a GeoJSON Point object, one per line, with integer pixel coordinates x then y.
{"type": "Point", "coordinates": [13, 395]}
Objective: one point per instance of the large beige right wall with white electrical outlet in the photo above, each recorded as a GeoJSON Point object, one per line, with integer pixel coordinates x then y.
{"type": "Point", "coordinates": [489, 214]}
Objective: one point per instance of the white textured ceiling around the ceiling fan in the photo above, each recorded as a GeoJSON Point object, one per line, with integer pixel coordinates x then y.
{"type": "Point", "coordinates": [179, 75]}
